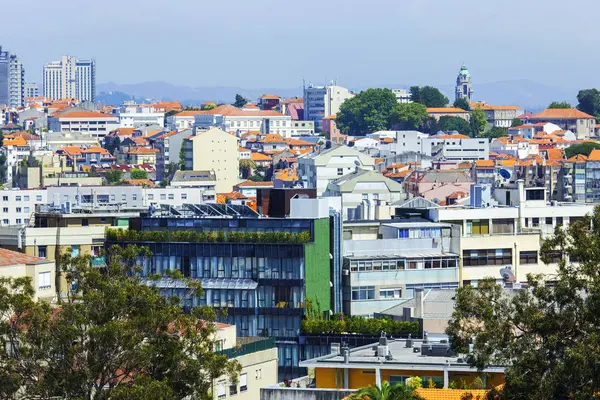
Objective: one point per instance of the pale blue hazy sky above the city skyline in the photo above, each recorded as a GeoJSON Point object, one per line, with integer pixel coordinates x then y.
{"type": "Point", "coordinates": [269, 43]}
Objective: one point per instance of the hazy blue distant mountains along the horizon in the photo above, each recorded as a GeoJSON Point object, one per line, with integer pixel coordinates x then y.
{"type": "Point", "coordinates": [526, 93]}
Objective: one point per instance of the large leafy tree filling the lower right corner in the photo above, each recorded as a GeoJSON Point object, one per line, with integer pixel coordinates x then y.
{"type": "Point", "coordinates": [546, 336]}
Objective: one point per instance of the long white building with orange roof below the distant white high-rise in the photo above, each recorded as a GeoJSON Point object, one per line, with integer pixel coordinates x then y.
{"type": "Point", "coordinates": [95, 124]}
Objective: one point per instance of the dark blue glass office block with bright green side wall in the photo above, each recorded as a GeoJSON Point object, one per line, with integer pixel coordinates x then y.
{"type": "Point", "coordinates": [261, 271]}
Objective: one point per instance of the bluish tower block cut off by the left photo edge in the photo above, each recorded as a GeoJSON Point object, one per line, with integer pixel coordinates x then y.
{"type": "Point", "coordinates": [12, 80]}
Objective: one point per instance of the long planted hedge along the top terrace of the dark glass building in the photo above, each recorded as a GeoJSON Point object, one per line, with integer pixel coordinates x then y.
{"type": "Point", "coordinates": [129, 235]}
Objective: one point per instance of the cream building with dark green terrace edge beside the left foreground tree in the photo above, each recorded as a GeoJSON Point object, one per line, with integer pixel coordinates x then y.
{"type": "Point", "coordinates": [256, 355]}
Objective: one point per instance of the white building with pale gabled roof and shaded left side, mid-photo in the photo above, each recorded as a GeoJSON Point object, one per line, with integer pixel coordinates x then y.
{"type": "Point", "coordinates": [317, 169]}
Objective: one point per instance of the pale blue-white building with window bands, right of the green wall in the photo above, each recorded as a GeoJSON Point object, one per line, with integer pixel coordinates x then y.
{"type": "Point", "coordinates": [386, 260]}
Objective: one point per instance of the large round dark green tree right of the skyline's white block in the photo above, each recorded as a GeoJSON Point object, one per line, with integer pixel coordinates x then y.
{"type": "Point", "coordinates": [369, 111]}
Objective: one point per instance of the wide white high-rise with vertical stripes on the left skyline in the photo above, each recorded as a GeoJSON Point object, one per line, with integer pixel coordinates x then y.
{"type": "Point", "coordinates": [70, 78]}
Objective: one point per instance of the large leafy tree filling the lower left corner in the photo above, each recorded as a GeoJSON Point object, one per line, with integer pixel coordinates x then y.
{"type": "Point", "coordinates": [113, 336]}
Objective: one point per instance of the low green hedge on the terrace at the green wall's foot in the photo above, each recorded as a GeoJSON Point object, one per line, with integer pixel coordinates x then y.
{"type": "Point", "coordinates": [370, 326]}
